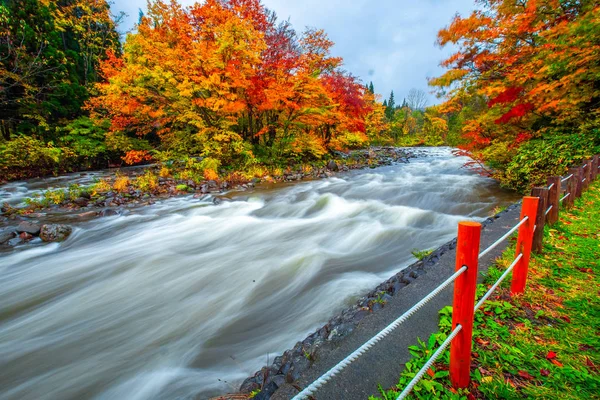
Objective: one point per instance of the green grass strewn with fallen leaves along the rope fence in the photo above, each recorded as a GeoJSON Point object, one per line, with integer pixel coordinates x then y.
{"type": "Point", "coordinates": [544, 344]}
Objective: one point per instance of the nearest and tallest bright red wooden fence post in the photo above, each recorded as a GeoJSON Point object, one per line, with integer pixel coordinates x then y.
{"type": "Point", "coordinates": [467, 254]}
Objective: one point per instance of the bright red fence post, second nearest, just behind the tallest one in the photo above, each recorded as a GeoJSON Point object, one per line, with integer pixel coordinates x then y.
{"type": "Point", "coordinates": [524, 242]}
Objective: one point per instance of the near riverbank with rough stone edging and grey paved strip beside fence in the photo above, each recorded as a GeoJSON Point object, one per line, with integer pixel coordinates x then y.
{"type": "Point", "coordinates": [345, 332]}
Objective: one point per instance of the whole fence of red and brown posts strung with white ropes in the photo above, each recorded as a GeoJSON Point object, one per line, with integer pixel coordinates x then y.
{"type": "Point", "coordinates": [537, 210]}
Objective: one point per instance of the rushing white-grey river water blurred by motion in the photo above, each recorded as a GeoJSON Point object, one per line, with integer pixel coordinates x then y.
{"type": "Point", "coordinates": [184, 299]}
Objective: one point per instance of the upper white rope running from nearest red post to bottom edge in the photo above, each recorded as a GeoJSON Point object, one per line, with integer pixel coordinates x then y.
{"type": "Point", "coordinates": [313, 387]}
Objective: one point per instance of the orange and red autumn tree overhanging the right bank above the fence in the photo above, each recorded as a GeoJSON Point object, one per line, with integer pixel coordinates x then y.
{"type": "Point", "coordinates": [536, 66]}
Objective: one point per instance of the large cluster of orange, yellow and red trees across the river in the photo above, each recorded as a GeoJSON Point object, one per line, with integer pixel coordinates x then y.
{"type": "Point", "coordinates": [228, 66]}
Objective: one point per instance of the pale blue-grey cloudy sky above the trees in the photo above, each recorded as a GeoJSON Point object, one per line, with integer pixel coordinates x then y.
{"type": "Point", "coordinates": [389, 42]}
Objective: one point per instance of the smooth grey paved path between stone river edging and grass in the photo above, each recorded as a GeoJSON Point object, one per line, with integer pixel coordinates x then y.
{"type": "Point", "coordinates": [383, 363]}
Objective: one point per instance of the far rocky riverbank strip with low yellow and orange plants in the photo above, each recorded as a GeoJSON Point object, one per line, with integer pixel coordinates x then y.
{"type": "Point", "coordinates": [134, 188]}
